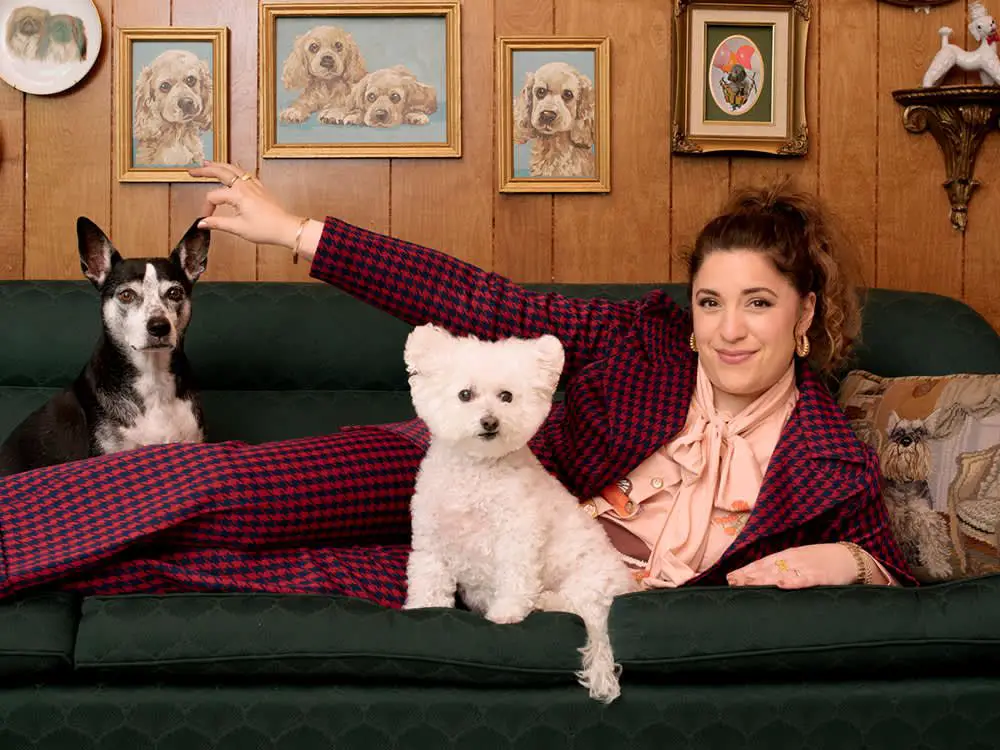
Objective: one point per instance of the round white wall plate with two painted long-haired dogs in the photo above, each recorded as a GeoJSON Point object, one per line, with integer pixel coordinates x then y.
{"type": "Point", "coordinates": [47, 46]}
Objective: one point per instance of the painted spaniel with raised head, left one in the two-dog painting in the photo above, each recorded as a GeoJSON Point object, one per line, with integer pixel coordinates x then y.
{"type": "Point", "coordinates": [324, 63]}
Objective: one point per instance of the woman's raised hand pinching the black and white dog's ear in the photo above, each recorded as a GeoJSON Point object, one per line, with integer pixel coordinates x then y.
{"type": "Point", "coordinates": [257, 216]}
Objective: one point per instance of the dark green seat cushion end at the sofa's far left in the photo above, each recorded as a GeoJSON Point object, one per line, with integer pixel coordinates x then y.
{"type": "Point", "coordinates": [37, 634]}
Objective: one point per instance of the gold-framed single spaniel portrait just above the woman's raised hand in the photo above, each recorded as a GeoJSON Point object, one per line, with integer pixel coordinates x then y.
{"type": "Point", "coordinates": [171, 102]}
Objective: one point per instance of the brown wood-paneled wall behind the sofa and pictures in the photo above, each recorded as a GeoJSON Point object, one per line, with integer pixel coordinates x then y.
{"type": "Point", "coordinates": [56, 160]}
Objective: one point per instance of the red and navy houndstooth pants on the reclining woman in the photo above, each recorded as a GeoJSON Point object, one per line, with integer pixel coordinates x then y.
{"type": "Point", "coordinates": [313, 515]}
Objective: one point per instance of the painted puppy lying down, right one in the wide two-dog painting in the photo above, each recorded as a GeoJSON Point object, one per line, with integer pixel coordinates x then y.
{"type": "Point", "coordinates": [389, 97]}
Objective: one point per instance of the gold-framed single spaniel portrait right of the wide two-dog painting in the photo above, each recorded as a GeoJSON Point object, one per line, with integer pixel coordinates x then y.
{"type": "Point", "coordinates": [553, 105]}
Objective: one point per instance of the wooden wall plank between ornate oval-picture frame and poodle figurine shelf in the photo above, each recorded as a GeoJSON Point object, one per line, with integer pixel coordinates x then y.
{"type": "Point", "coordinates": [848, 140]}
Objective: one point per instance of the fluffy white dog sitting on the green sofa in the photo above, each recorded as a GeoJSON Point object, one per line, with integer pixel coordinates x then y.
{"type": "Point", "coordinates": [488, 520]}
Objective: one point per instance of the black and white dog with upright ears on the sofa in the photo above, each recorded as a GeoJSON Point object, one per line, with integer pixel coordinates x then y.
{"type": "Point", "coordinates": [137, 388]}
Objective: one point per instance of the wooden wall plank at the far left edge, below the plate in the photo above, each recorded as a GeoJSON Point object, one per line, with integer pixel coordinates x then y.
{"type": "Point", "coordinates": [11, 182]}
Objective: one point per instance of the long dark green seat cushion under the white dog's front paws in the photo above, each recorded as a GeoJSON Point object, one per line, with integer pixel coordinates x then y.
{"type": "Point", "coordinates": [302, 637]}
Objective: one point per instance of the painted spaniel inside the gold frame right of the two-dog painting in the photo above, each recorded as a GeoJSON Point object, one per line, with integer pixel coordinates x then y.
{"type": "Point", "coordinates": [555, 111]}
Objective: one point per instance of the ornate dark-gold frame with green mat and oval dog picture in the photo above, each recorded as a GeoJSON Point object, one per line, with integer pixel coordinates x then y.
{"type": "Point", "coordinates": [739, 76]}
